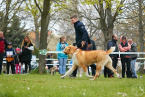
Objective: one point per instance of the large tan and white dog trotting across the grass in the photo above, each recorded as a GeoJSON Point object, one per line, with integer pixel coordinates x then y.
{"type": "Point", "coordinates": [85, 58]}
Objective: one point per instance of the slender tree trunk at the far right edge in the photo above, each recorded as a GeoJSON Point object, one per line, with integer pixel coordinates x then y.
{"type": "Point", "coordinates": [141, 34]}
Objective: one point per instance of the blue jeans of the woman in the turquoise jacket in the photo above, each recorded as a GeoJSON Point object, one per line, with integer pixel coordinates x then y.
{"type": "Point", "coordinates": [62, 65]}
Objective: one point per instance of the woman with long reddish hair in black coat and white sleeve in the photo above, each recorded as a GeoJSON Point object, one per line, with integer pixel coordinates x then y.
{"type": "Point", "coordinates": [27, 48]}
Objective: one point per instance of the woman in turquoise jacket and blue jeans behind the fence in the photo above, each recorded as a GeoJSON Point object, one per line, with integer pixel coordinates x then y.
{"type": "Point", "coordinates": [62, 58]}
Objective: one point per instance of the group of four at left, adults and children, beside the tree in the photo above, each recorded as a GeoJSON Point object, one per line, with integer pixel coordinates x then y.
{"type": "Point", "coordinates": [15, 58]}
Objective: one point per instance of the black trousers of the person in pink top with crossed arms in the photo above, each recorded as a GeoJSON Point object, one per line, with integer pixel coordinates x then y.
{"type": "Point", "coordinates": [128, 63]}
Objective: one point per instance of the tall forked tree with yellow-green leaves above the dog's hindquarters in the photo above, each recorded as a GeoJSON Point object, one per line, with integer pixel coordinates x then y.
{"type": "Point", "coordinates": [107, 18]}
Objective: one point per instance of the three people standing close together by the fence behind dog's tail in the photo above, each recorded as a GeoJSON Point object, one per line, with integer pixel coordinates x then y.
{"type": "Point", "coordinates": [126, 59]}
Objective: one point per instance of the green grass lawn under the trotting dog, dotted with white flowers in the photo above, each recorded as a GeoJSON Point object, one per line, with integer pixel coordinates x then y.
{"type": "Point", "coordinates": [35, 85]}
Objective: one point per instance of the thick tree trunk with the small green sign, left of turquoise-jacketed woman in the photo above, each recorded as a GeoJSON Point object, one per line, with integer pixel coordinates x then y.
{"type": "Point", "coordinates": [43, 34]}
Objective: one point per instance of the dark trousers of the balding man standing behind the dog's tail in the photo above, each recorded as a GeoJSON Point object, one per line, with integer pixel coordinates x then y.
{"type": "Point", "coordinates": [108, 71]}
